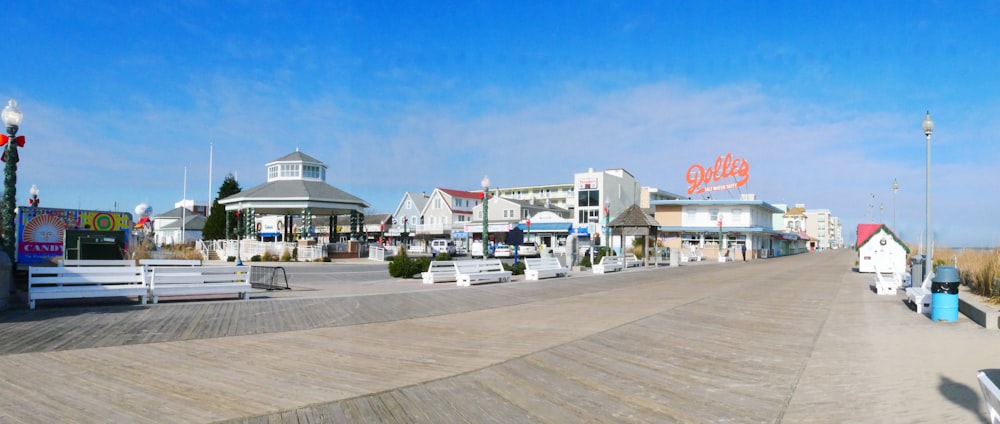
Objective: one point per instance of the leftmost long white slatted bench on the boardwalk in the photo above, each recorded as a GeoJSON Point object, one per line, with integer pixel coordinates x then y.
{"type": "Point", "coordinates": [74, 282]}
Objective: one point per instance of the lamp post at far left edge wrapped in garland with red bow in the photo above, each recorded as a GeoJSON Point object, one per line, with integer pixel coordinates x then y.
{"type": "Point", "coordinates": [12, 120]}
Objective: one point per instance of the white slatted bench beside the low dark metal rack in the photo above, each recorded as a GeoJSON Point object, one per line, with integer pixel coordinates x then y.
{"type": "Point", "coordinates": [199, 280]}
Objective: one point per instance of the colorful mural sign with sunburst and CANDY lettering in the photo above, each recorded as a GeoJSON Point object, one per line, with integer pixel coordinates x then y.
{"type": "Point", "coordinates": [42, 231]}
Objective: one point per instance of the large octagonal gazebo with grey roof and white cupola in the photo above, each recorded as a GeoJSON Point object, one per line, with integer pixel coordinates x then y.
{"type": "Point", "coordinates": [296, 190]}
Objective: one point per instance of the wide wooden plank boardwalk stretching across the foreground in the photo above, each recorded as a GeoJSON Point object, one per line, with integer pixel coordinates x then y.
{"type": "Point", "coordinates": [796, 339]}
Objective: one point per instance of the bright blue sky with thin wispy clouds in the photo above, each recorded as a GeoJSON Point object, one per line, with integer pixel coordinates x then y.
{"type": "Point", "coordinates": [823, 99]}
